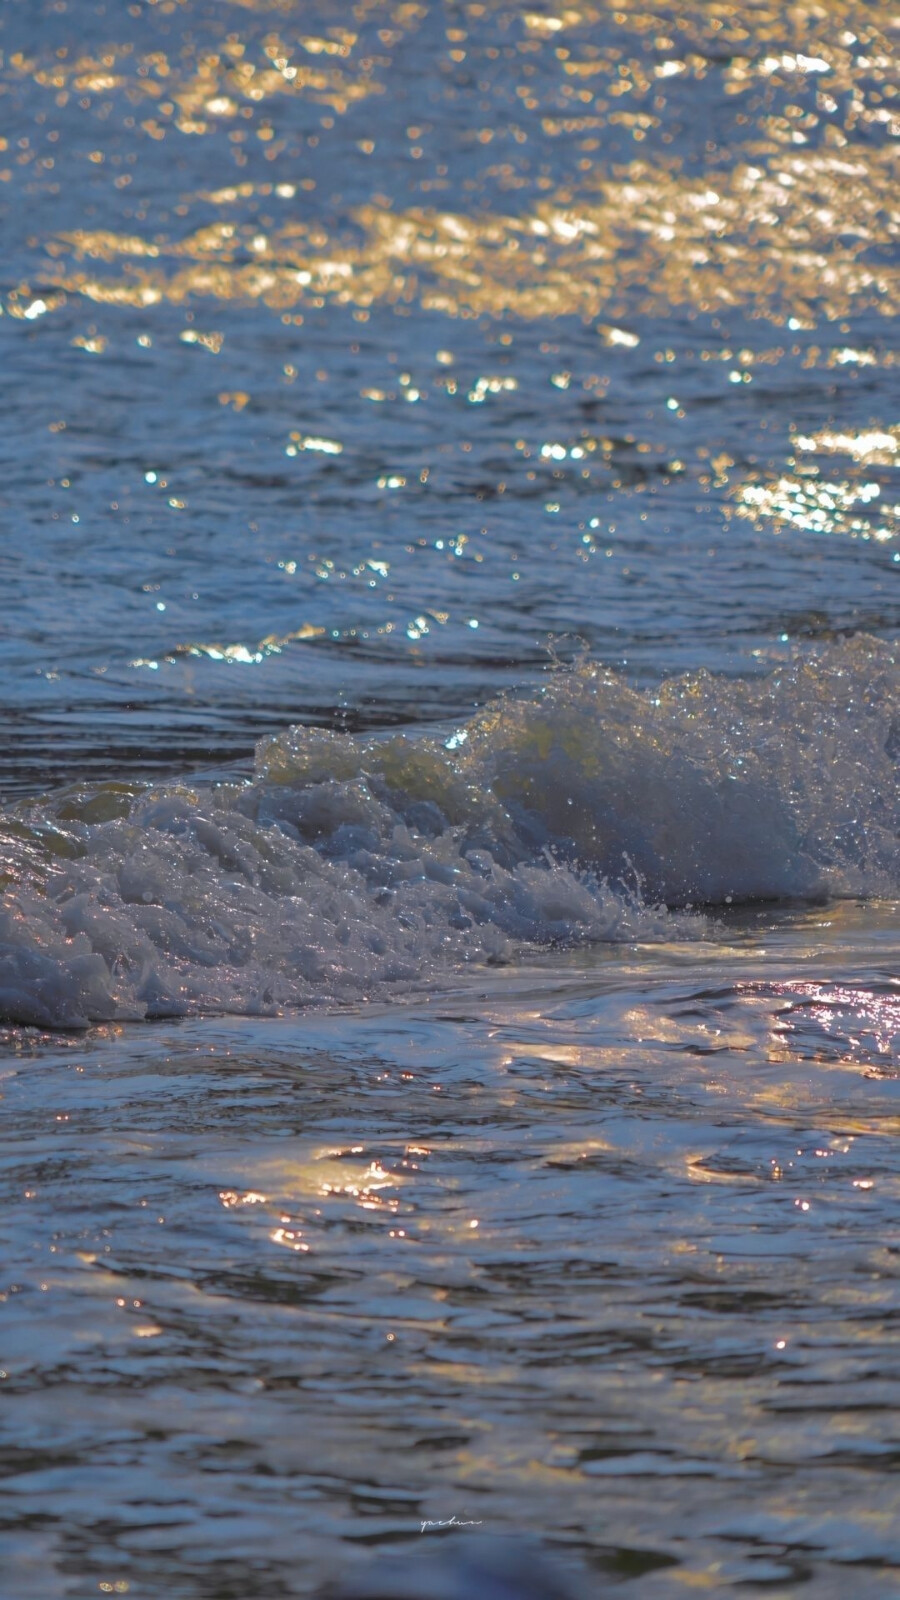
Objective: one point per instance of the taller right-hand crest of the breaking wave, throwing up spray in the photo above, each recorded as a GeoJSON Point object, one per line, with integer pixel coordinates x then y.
{"type": "Point", "coordinates": [713, 790]}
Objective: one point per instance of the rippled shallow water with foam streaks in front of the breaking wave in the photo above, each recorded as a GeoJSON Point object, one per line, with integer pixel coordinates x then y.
{"type": "Point", "coordinates": [605, 1254]}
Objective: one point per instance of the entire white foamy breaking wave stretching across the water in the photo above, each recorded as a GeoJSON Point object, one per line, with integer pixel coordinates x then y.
{"type": "Point", "coordinates": [356, 868]}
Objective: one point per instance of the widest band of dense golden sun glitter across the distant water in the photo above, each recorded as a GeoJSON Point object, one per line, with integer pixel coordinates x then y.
{"type": "Point", "coordinates": [763, 241]}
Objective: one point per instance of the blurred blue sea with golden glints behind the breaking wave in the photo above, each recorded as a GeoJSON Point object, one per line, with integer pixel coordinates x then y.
{"type": "Point", "coordinates": [332, 334]}
